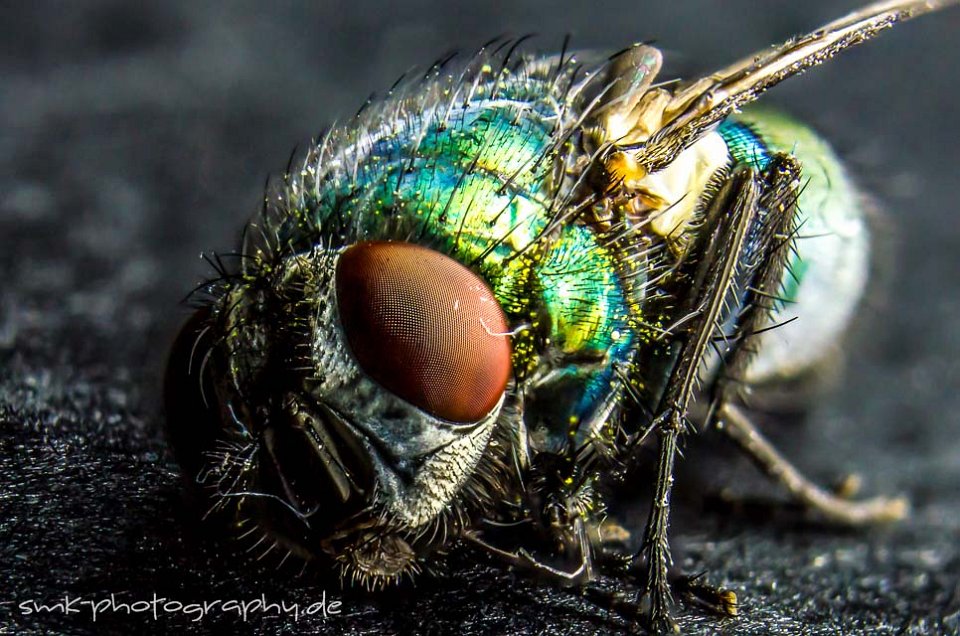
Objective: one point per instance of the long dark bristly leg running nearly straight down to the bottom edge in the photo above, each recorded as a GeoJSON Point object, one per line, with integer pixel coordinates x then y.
{"type": "Point", "coordinates": [729, 220]}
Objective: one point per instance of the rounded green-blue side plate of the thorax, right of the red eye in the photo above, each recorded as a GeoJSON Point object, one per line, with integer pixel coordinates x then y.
{"type": "Point", "coordinates": [585, 302]}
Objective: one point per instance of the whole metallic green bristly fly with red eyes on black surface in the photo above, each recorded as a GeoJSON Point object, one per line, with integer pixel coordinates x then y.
{"type": "Point", "coordinates": [472, 306]}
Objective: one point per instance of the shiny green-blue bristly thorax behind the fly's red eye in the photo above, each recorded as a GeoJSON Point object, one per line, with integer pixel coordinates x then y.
{"type": "Point", "coordinates": [479, 181]}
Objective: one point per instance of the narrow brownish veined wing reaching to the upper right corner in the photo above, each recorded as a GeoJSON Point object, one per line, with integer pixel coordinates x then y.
{"type": "Point", "coordinates": [695, 109]}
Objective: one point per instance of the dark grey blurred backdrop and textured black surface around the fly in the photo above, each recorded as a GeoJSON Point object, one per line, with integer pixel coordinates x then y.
{"type": "Point", "coordinates": [133, 138]}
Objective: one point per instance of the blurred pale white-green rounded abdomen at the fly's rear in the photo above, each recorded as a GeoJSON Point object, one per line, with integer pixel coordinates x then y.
{"type": "Point", "coordinates": [825, 274]}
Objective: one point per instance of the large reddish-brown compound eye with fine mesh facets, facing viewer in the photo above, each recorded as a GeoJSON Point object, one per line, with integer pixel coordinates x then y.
{"type": "Point", "coordinates": [425, 327]}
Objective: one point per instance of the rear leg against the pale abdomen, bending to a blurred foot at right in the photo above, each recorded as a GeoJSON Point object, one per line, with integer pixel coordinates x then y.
{"type": "Point", "coordinates": [779, 203]}
